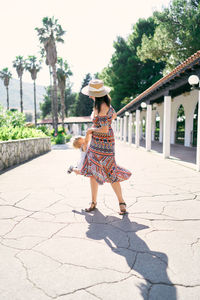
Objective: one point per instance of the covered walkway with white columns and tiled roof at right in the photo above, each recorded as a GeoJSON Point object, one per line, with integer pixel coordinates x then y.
{"type": "Point", "coordinates": [169, 111]}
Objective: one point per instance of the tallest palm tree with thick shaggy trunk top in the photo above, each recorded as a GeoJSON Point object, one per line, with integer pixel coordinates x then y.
{"type": "Point", "coordinates": [49, 34]}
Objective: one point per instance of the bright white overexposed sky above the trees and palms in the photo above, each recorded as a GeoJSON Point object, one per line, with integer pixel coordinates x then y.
{"type": "Point", "coordinates": [91, 28]}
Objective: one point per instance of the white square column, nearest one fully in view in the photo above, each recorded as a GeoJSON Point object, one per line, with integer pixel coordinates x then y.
{"type": "Point", "coordinates": [166, 126]}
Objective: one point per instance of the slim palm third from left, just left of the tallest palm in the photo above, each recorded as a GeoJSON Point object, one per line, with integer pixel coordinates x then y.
{"type": "Point", "coordinates": [33, 67]}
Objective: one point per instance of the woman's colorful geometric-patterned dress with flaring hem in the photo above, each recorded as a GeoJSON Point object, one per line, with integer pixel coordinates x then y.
{"type": "Point", "coordinates": [100, 158]}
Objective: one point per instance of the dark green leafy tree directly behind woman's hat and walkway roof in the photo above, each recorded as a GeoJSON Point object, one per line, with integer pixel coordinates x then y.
{"type": "Point", "coordinates": [126, 73]}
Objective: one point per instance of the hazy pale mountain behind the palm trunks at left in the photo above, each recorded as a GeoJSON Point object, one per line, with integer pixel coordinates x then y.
{"type": "Point", "coordinates": [14, 95]}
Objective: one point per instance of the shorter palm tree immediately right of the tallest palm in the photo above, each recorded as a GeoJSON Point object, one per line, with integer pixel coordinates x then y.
{"type": "Point", "coordinates": [63, 72]}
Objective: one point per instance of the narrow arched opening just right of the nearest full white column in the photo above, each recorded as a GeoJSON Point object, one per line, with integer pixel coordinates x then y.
{"type": "Point", "coordinates": [180, 125]}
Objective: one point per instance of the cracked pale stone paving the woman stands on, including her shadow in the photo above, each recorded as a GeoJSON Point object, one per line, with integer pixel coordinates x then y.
{"type": "Point", "coordinates": [51, 249]}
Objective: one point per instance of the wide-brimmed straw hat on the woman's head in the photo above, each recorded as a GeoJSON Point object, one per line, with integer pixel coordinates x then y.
{"type": "Point", "coordinates": [95, 88]}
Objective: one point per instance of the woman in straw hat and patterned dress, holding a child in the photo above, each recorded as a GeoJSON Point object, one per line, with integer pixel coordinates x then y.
{"type": "Point", "coordinates": [99, 163]}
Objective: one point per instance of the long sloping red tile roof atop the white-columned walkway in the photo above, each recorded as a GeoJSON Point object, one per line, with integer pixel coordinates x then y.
{"type": "Point", "coordinates": [178, 69]}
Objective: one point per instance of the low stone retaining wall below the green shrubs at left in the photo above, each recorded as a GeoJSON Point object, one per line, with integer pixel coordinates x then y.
{"type": "Point", "coordinates": [18, 151]}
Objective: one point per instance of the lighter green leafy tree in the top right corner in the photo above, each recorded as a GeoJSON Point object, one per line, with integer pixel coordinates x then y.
{"type": "Point", "coordinates": [176, 36]}
